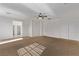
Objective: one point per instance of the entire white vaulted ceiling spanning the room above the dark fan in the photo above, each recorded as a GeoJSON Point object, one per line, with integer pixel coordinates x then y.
{"type": "Point", "coordinates": [26, 10]}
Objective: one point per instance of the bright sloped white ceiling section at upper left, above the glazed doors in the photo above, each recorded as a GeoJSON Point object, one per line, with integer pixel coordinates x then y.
{"type": "Point", "coordinates": [11, 13]}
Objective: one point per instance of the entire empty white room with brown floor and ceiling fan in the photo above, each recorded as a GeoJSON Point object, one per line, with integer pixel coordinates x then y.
{"type": "Point", "coordinates": [39, 29]}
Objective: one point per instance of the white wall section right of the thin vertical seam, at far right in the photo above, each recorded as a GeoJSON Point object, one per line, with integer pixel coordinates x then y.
{"type": "Point", "coordinates": [74, 30]}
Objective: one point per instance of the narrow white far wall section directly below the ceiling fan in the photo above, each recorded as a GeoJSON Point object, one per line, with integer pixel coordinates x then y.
{"type": "Point", "coordinates": [35, 28]}
